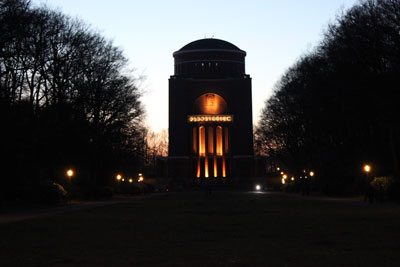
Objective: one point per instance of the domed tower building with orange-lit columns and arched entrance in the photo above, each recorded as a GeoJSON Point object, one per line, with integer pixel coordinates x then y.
{"type": "Point", "coordinates": [210, 113]}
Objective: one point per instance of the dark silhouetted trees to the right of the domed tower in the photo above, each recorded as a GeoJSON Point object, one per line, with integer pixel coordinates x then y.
{"type": "Point", "coordinates": [337, 107]}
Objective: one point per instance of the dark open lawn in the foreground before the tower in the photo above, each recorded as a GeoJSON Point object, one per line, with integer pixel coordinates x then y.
{"type": "Point", "coordinates": [224, 229]}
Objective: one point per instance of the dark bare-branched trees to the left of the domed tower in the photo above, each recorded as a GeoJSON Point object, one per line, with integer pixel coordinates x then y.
{"type": "Point", "coordinates": [67, 100]}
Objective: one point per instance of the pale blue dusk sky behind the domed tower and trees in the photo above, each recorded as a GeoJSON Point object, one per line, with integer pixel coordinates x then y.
{"type": "Point", "coordinates": [273, 33]}
